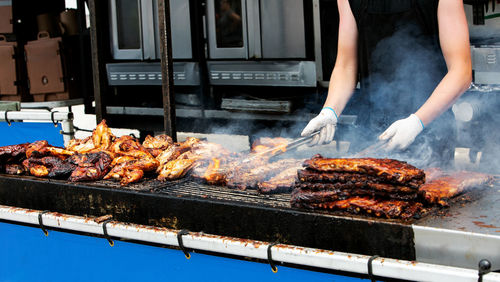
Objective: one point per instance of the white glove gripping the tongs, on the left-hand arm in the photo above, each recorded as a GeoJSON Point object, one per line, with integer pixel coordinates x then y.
{"type": "Point", "coordinates": [325, 122]}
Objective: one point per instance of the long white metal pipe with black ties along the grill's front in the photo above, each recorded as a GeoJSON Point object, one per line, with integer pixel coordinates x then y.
{"type": "Point", "coordinates": [383, 267]}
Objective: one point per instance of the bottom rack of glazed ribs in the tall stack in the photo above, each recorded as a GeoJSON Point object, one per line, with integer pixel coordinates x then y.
{"type": "Point", "coordinates": [367, 205]}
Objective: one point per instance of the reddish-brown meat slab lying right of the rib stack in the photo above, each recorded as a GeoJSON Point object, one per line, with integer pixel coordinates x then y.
{"type": "Point", "coordinates": [442, 188]}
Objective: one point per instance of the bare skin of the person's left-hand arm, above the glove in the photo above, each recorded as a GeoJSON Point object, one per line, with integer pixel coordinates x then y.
{"type": "Point", "coordinates": [344, 75]}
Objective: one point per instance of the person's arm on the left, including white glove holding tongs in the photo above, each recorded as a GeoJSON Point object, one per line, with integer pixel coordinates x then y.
{"type": "Point", "coordinates": [342, 81]}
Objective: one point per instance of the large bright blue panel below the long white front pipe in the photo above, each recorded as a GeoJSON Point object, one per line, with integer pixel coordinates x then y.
{"type": "Point", "coordinates": [28, 255]}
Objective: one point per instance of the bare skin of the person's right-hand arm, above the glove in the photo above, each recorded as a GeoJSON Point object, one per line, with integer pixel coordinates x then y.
{"type": "Point", "coordinates": [454, 40]}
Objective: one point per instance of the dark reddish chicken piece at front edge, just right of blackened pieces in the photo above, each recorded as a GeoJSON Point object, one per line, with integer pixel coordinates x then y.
{"type": "Point", "coordinates": [91, 166]}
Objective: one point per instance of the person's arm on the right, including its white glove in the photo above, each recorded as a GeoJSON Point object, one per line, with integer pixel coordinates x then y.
{"type": "Point", "coordinates": [454, 40]}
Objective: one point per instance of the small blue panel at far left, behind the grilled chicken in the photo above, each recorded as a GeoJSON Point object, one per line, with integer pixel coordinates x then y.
{"type": "Point", "coordinates": [22, 132]}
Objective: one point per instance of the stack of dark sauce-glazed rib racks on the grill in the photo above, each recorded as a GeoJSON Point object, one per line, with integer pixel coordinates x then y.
{"type": "Point", "coordinates": [378, 187]}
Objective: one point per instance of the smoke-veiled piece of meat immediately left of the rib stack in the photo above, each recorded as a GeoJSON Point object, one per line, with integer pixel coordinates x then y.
{"type": "Point", "coordinates": [248, 179]}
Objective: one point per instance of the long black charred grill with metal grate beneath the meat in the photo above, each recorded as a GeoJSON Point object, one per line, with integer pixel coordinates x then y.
{"type": "Point", "coordinates": [188, 204]}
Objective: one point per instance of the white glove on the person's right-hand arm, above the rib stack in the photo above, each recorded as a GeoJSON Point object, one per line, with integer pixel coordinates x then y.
{"type": "Point", "coordinates": [402, 133]}
